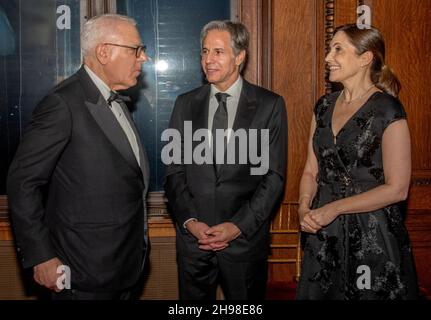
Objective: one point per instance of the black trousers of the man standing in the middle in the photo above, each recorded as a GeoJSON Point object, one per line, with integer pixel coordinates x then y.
{"type": "Point", "coordinates": [199, 278]}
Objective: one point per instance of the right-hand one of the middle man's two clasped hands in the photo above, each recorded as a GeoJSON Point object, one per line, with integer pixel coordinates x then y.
{"type": "Point", "coordinates": [220, 235]}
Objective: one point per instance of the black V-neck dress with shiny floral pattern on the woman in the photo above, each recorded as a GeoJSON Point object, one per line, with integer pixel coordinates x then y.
{"type": "Point", "coordinates": [365, 255]}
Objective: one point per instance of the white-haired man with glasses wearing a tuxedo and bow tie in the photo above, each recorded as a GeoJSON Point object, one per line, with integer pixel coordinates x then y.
{"type": "Point", "coordinates": [78, 182]}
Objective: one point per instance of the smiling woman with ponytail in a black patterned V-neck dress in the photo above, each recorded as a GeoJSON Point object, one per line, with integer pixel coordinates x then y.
{"type": "Point", "coordinates": [356, 174]}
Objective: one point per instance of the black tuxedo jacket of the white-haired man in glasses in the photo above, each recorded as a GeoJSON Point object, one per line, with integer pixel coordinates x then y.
{"type": "Point", "coordinates": [76, 191]}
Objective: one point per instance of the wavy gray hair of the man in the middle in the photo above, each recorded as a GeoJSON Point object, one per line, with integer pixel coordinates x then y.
{"type": "Point", "coordinates": [238, 33]}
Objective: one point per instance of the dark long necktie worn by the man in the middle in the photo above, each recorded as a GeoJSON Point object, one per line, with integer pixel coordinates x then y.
{"type": "Point", "coordinates": [220, 121]}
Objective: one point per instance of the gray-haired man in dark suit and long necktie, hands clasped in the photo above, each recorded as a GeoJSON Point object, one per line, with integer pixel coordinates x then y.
{"type": "Point", "coordinates": [223, 210]}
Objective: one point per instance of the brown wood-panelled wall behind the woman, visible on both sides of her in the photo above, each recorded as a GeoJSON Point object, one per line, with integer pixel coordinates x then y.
{"type": "Point", "coordinates": [301, 32]}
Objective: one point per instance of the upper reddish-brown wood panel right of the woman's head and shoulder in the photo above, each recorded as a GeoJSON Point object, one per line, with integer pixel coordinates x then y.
{"type": "Point", "coordinates": [406, 26]}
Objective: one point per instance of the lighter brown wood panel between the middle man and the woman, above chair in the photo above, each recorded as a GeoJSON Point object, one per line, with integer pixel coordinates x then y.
{"type": "Point", "coordinates": [294, 77]}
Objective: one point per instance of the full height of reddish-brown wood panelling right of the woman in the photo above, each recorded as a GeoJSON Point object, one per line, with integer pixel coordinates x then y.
{"type": "Point", "coordinates": [406, 27]}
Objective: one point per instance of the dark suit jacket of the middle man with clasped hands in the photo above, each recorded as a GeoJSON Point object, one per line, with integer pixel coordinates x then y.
{"type": "Point", "coordinates": [195, 191]}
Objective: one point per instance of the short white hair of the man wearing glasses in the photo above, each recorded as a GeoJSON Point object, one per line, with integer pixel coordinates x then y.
{"type": "Point", "coordinates": [99, 29]}
